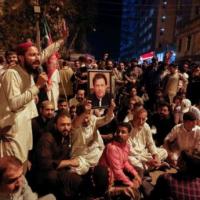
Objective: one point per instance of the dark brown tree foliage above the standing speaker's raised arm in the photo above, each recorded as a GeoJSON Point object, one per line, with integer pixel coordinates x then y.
{"type": "Point", "coordinates": [18, 20]}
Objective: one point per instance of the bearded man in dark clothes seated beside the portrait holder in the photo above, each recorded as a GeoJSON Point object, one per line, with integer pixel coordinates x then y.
{"type": "Point", "coordinates": [53, 160]}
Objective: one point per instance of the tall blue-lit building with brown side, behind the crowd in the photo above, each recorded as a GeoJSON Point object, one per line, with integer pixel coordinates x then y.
{"type": "Point", "coordinates": [154, 26]}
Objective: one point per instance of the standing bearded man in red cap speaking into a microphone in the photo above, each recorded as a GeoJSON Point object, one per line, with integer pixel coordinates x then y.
{"type": "Point", "coordinates": [18, 92]}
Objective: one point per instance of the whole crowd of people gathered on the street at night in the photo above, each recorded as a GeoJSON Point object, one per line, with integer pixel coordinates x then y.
{"type": "Point", "coordinates": [68, 147]}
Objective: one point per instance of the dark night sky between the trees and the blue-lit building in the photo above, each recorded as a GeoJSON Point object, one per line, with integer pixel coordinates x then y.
{"type": "Point", "coordinates": [106, 38]}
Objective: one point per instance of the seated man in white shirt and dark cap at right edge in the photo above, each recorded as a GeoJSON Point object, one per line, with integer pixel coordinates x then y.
{"type": "Point", "coordinates": [185, 136]}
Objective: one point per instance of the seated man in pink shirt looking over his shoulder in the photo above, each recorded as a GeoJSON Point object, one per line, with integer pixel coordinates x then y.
{"type": "Point", "coordinates": [115, 157]}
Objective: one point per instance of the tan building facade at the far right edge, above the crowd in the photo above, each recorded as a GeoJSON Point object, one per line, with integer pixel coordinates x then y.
{"type": "Point", "coordinates": [188, 30]}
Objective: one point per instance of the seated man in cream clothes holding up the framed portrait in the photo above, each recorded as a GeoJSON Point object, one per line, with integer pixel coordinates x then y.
{"type": "Point", "coordinates": [87, 143]}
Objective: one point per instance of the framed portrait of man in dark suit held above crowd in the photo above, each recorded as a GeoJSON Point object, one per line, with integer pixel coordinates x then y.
{"type": "Point", "coordinates": [99, 88]}
